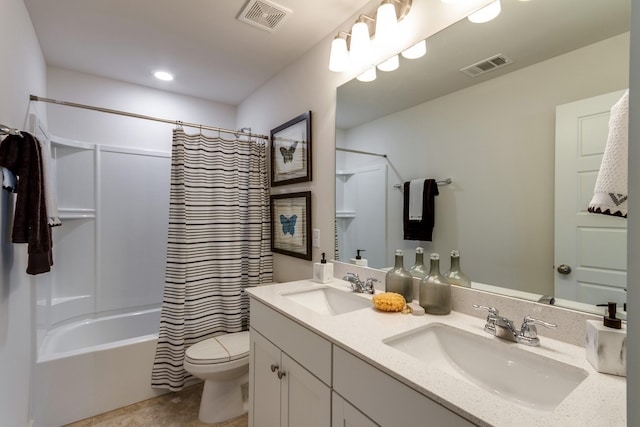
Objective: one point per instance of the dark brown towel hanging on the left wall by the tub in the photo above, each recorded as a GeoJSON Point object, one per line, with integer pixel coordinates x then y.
{"type": "Point", "coordinates": [21, 155]}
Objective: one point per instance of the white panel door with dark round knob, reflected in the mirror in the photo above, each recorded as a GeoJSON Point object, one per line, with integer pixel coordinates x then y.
{"type": "Point", "coordinates": [590, 249]}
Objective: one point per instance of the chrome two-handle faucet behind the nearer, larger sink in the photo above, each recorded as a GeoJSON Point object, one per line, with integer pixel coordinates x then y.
{"type": "Point", "coordinates": [502, 327]}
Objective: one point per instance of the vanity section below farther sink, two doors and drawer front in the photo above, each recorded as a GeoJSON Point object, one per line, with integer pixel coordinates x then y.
{"type": "Point", "coordinates": [290, 373]}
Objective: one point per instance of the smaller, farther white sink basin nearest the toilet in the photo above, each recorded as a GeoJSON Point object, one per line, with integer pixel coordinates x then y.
{"type": "Point", "coordinates": [330, 301]}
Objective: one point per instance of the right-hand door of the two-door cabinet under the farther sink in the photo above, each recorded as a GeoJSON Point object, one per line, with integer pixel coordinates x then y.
{"type": "Point", "coordinates": [305, 400]}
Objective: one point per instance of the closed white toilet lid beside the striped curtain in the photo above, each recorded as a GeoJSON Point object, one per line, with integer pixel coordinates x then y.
{"type": "Point", "coordinates": [220, 349]}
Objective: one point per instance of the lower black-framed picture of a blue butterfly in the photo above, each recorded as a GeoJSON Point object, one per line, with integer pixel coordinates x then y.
{"type": "Point", "coordinates": [291, 224]}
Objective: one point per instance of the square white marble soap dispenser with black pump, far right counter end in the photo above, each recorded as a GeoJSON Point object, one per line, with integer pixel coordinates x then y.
{"type": "Point", "coordinates": [607, 343]}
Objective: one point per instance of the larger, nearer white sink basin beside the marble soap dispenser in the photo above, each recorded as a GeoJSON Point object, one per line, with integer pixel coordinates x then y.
{"type": "Point", "coordinates": [501, 368]}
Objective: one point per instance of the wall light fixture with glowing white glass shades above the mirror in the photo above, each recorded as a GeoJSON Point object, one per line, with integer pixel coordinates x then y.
{"type": "Point", "coordinates": [358, 52]}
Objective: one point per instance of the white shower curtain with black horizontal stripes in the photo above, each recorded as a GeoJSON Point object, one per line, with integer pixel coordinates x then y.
{"type": "Point", "coordinates": [218, 245]}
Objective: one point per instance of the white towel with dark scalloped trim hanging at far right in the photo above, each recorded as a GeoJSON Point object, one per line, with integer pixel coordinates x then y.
{"type": "Point", "coordinates": [610, 193]}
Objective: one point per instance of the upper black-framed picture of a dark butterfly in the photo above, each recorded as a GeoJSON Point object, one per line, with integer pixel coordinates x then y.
{"type": "Point", "coordinates": [291, 151]}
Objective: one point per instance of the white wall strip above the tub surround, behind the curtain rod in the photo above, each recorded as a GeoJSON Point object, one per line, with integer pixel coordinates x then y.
{"type": "Point", "coordinates": [109, 129]}
